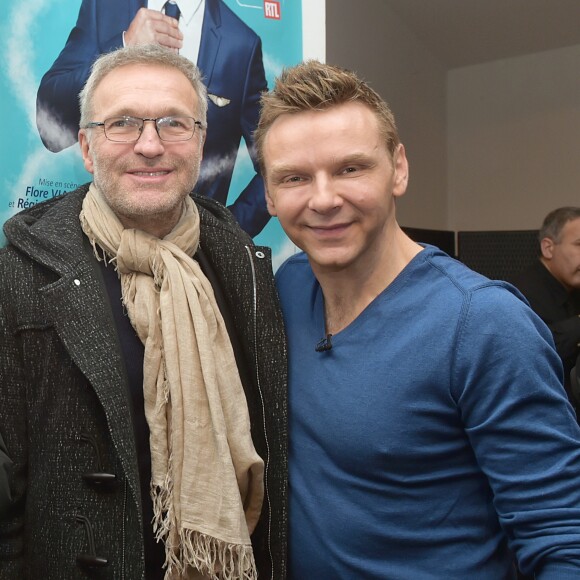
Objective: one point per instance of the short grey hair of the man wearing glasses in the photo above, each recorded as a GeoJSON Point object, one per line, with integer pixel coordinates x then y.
{"type": "Point", "coordinates": [141, 54]}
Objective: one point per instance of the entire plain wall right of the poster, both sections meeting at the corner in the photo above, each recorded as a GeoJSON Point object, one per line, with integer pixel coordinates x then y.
{"type": "Point", "coordinates": [492, 146]}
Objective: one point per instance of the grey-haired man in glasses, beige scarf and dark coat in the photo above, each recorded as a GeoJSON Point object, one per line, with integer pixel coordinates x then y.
{"type": "Point", "coordinates": [142, 355]}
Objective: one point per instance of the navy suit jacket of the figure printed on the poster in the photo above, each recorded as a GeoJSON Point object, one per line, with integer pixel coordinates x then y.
{"type": "Point", "coordinates": [230, 58]}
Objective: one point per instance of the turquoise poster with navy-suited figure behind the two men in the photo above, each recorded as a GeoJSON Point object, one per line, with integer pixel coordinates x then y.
{"type": "Point", "coordinates": [47, 51]}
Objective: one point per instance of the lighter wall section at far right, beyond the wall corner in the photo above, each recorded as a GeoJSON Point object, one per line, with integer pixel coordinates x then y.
{"type": "Point", "coordinates": [513, 140]}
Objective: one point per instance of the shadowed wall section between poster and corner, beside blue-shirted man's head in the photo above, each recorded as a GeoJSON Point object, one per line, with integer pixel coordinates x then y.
{"type": "Point", "coordinates": [368, 38]}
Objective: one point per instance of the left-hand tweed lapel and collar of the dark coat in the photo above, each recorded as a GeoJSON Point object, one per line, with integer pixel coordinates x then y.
{"type": "Point", "coordinates": [78, 306]}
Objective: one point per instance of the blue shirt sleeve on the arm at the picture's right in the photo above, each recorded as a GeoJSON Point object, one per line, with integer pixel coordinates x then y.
{"type": "Point", "coordinates": [507, 383]}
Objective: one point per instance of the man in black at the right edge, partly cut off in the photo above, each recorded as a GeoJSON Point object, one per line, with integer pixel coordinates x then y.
{"type": "Point", "coordinates": [552, 284]}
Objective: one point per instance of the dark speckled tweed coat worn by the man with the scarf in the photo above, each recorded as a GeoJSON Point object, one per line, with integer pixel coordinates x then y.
{"type": "Point", "coordinates": [64, 403]}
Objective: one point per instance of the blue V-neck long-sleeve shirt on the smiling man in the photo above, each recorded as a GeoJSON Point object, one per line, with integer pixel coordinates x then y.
{"type": "Point", "coordinates": [434, 439]}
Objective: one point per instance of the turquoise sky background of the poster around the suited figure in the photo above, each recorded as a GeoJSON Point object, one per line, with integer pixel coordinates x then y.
{"type": "Point", "coordinates": [31, 40]}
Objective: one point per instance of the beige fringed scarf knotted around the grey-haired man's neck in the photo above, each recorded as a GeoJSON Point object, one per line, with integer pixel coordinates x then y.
{"type": "Point", "coordinates": [207, 479]}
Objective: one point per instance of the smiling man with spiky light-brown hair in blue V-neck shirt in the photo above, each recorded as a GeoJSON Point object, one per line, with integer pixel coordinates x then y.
{"type": "Point", "coordinates": [430, 434]}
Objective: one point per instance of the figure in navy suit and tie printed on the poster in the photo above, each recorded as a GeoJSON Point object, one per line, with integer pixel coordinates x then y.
{"type": "Point", "coordinates": [229, 54]}
